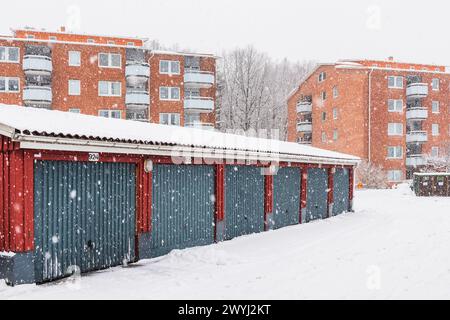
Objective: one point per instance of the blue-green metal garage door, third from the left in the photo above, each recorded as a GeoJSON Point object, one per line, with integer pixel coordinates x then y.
{"type": "Point", "coordinates": [244, 201]}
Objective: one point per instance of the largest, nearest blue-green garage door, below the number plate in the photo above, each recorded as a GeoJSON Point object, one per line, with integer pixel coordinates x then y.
{"type": "Point", "coordinates": [85, 216]}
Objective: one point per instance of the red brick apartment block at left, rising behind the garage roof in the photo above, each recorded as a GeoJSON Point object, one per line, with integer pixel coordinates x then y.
{"type": "Point", "coordinates": [107, 76]}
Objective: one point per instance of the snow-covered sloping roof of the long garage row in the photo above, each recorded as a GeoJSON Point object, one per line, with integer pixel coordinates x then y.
{"type": "Point", "coordinates": [31, 125]}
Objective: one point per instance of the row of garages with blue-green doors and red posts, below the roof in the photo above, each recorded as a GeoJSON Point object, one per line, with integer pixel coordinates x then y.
{"type": "Point", "coordinates": [64, 211]}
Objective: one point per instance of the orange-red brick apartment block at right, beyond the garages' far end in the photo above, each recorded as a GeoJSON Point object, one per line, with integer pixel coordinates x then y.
{"type": "Point", "coordinates": [392, 114]}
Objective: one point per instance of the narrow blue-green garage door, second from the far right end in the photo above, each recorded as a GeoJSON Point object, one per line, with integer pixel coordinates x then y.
{"type": "Point", "coordinates": [317, 195]}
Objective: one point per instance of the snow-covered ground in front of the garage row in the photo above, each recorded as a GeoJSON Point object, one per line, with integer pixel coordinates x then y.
{"type": "Point", "coordinates": [394, 246]}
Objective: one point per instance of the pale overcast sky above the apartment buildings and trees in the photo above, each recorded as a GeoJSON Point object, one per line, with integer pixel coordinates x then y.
{"type": "Point", "coordinates": [323, 30]}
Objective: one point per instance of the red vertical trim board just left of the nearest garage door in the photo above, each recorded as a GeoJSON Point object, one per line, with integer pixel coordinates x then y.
{"type": "Point", "coordinates": [28, 201]}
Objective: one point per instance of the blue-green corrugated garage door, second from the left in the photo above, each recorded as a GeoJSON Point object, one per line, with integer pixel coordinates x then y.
{"type": "Point", "coordinates": [183, 207]}
